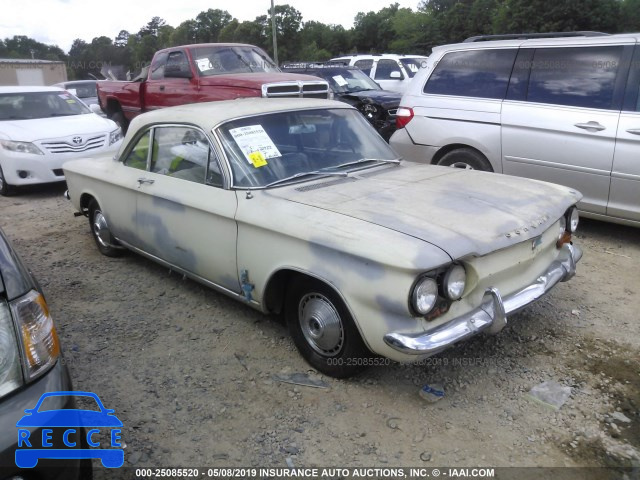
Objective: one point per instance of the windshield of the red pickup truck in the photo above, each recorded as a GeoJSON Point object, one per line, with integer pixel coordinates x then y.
{"type": "Point", "coordinates": [220, 60]}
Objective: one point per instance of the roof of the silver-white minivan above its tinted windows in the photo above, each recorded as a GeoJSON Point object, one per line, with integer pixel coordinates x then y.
{"type": "Point", "coordinates": [550, 41]}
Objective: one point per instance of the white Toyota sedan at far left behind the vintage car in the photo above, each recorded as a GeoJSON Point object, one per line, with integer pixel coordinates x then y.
{"type": "Point", "coordinates": [43, 127]}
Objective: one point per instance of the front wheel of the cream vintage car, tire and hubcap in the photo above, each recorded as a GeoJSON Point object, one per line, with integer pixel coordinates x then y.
{"type": "Point", "coordinates": [323, 330]}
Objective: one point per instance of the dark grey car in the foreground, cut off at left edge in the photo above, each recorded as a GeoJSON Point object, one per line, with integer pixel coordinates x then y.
{"type": "Point", "coordinates": [31, 365]}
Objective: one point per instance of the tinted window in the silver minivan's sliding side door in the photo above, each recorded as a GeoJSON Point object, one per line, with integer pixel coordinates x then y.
{"type": "Point", "coordinates": [577, 76]}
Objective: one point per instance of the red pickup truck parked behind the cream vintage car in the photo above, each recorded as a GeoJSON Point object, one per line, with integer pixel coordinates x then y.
{"type": "Point", "coordinates": [204, 73]}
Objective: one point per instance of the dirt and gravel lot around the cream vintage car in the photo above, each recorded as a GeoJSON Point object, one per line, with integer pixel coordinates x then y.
{"type": "Point", "coordinates": [192, 374]}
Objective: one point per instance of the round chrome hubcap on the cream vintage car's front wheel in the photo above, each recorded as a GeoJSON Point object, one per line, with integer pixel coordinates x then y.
{"type": "Point", "coordinates": [321, 324]}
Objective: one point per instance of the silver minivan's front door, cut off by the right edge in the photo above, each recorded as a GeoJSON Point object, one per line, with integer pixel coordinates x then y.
{"type": "Point", "coordinates": [624, 199]}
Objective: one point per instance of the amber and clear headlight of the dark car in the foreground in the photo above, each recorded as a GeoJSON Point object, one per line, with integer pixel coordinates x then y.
{"type": "Point", "coordinates": [40, 345]}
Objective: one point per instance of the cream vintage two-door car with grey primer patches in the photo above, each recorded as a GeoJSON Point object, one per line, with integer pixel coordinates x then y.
{"type": "Point", "coordinates": [299, 206]}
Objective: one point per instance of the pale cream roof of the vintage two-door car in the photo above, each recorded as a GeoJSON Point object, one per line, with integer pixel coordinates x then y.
{"type": "Point", "coordinates": [210, 114]}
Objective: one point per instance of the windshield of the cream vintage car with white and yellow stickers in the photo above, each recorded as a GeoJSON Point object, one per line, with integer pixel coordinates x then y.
{"type": "Point", "coordinates": [271, 149]}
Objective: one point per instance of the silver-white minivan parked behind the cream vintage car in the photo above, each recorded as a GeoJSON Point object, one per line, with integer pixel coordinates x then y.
{"type": "Point", "coordinates": [563, 109]}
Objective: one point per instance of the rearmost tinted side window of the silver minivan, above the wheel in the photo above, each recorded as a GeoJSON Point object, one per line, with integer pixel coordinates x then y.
{"type": "Point", "coordinates": [473, 73]}
